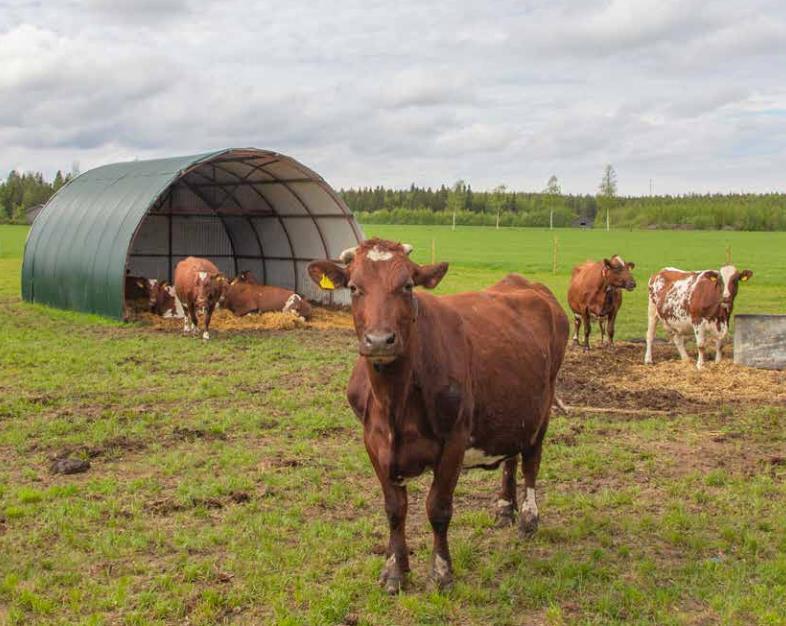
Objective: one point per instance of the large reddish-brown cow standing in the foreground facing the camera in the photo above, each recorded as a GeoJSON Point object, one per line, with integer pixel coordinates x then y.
{"type": "Point", "coordinates": [465, 380]}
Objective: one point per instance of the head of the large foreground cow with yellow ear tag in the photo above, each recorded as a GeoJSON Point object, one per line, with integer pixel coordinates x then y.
{"type": "Point", "coordinates": [381, 278]}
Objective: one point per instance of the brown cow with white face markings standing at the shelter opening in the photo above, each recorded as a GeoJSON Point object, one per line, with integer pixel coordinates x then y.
{"type": "Point", "coordinates": [200, 287]}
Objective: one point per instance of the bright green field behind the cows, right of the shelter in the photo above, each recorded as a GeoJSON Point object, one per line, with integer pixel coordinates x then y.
{"type": "Point", "coordinates": [479, 256]}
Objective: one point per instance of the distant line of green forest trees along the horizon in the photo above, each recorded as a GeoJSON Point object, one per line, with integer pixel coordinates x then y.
{"type": "Point", "coordinates": [462, 205]}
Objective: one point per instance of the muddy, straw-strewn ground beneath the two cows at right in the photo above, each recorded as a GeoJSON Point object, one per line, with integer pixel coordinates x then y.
{"type": "Point", "coordinates": [617, 378]}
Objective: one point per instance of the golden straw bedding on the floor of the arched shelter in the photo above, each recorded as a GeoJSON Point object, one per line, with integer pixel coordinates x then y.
{"type": "Point", "coordinates": [322, 318]}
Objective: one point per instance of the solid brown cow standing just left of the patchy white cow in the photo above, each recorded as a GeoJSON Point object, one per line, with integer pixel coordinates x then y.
{"type": "Point", "coordinates": [595, 292]}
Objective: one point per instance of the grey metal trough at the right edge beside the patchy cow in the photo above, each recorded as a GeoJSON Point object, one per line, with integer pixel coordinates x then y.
{"type": "Point", "coordinates": [760, 341]}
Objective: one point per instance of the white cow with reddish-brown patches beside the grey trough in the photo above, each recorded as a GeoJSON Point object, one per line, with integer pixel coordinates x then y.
{"type": "Point", "coordinates": [693, 303]}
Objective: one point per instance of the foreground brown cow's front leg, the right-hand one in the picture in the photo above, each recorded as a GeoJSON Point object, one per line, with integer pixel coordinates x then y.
{"type": "Point", "coordinates": [439, 507]}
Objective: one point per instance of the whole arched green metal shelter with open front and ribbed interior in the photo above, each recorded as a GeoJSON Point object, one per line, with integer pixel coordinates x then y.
{"type": "Point", "coordinates": [244, 209]}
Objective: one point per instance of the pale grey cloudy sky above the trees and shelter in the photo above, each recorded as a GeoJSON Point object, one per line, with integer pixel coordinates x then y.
{"type": "Point", "coordinates": [689, 94]}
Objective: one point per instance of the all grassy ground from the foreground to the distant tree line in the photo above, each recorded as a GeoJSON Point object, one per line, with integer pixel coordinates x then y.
{"type": "Point", "coordinates": [229, 483]}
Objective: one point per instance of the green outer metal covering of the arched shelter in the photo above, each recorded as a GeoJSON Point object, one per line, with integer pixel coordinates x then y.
{"type": "Point", "coordinates": [76, 250]}
